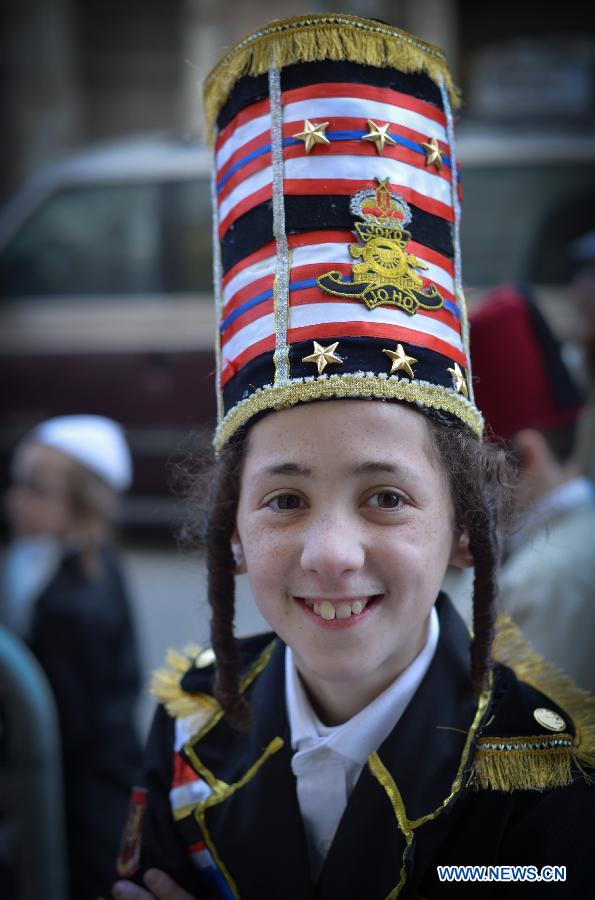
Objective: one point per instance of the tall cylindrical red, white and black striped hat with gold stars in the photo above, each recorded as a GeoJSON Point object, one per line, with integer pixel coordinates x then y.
{"type": "Point", "coordinates": [336, 222]}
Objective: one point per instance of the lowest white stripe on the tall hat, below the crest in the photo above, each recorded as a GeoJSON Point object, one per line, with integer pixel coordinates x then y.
{"type": "Point", "coordinates": [329, 313]}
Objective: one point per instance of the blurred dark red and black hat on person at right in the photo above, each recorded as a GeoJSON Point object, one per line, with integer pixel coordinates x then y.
{"type": "Point", "coordinates": [521, 377]}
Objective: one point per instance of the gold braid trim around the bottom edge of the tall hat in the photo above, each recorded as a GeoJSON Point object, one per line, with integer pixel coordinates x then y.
{"type": "Point", "coordinates": [353, 385]}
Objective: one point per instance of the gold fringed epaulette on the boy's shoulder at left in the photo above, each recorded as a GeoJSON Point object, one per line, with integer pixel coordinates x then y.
{"type": "Point", "coordinates": [166, 688]}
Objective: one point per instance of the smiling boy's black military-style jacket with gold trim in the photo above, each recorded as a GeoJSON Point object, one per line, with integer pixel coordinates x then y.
{"type": "Point", "coordinates": [457, 782]}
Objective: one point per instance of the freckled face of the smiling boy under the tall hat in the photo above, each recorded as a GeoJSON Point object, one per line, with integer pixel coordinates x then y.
{"type": "Point", "coordinates": [345, 527]}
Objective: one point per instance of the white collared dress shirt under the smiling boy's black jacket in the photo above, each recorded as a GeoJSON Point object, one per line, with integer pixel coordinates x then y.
{"type": "Point", "coordinates": [328, 760]}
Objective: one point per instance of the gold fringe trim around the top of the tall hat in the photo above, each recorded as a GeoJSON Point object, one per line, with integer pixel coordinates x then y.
{"type": "Point", "coordinates": [317, 37]}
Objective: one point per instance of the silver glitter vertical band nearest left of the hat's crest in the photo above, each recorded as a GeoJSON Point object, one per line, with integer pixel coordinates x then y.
{"type": "Point", "coordinates": [281, 293]}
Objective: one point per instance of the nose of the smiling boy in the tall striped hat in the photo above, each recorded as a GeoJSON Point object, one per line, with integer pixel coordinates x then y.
{"type": "Point", "coordinates": [331, 548]}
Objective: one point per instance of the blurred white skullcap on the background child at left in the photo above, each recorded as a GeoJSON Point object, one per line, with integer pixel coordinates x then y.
{"type": "Point", "coordinates": [95, 441]}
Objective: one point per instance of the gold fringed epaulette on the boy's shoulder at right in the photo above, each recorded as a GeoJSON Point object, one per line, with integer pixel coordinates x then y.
{"type": "Point", "coordinates": [537, 761]}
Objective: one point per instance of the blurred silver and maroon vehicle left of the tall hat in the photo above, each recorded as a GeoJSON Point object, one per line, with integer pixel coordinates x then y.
{"type": "Point", "coordinates": [106, 302]}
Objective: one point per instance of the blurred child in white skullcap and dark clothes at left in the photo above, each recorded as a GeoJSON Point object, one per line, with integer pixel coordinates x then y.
{"type": "Point", "coordinates": [64, 594]}
